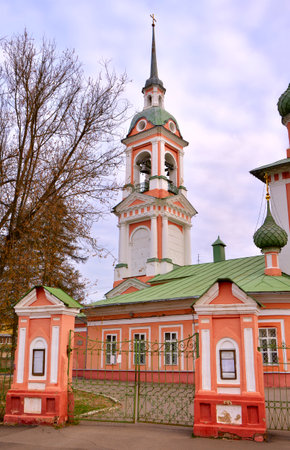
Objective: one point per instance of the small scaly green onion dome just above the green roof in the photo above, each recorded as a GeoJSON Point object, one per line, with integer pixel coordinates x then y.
{"type": "Point", "coordinates": [270, 235]}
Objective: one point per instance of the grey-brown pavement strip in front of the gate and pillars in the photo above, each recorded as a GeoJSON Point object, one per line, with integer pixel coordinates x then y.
{"type": "Point", "coordinates": [111, 436]}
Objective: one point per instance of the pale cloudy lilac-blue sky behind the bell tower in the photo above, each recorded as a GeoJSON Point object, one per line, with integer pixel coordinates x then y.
{"type": "Point", "coordinates": [224, 64]}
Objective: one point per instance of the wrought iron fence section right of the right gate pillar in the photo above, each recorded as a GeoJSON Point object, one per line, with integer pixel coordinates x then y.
{"type": "Point", "coordinates": [276, 363]}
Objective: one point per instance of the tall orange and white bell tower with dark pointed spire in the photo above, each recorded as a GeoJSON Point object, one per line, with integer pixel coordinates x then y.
{"type": "Point", "coordinates": [154, 214]}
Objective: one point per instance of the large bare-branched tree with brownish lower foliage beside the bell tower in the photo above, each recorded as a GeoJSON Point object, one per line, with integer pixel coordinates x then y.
{"type": "Point", "coordinates": [58, 156]}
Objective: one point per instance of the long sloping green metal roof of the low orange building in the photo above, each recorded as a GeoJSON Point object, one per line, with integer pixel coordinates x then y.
{"type": "Point", "coordinates": [193, 281]}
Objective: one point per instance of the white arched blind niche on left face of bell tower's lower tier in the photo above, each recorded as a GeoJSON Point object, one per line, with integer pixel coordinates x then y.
{"type": "Point", "coordinates": [139, 250]}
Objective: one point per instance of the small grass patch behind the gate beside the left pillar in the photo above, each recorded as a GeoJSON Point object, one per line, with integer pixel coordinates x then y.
{"type": "Point", "coordinates": [87, 401]}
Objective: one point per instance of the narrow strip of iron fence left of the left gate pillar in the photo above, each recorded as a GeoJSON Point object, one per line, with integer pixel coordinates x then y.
{"type": "Point", "coordinates": [6, 373]}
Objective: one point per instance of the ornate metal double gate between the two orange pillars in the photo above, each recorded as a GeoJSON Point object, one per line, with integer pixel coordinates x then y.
{"type": "Point", "coordinates": [134, 381]}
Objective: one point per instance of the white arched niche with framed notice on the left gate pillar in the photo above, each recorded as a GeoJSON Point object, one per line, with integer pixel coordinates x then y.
{"type": "Point", "coordinates": [38, 359]}
